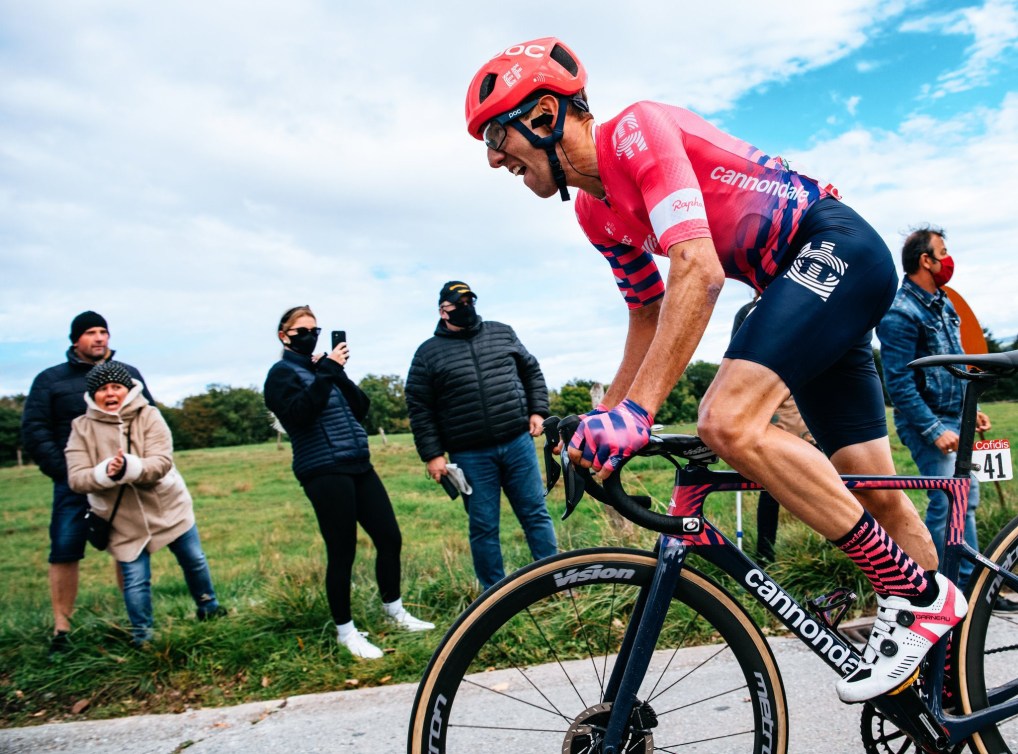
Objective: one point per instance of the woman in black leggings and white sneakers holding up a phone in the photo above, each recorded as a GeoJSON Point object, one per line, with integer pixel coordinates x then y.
{"type": "Point", "coordinates": [321, 410]}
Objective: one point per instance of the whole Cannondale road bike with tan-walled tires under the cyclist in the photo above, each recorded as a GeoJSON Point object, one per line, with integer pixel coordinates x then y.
{"type": "Point", "coordinates": [614, 680]}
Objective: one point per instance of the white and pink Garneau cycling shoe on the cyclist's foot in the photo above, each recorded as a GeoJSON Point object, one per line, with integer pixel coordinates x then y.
{"type": "Point", "coordinates": [902, 635]}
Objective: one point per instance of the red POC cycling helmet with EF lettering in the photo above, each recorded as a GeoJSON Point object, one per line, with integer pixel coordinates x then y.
{"type": "Point", "coordinates": [517, 74]}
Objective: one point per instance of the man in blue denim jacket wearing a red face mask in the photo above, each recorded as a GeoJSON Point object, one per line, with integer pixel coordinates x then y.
{"type": "Point", "coordinates": [928, 402]}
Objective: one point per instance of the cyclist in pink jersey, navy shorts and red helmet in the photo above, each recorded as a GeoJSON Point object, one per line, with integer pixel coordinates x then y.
{"type": "Point", "coordinates": [658, 180]}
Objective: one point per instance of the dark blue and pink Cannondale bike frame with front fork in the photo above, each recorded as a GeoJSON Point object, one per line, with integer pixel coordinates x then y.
{"type": "Point", "coordinates": [931, 726]}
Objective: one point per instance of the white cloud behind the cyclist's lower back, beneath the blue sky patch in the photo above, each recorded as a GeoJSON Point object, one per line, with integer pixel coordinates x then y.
{"type": "Point", "coordinates": [956, 175]}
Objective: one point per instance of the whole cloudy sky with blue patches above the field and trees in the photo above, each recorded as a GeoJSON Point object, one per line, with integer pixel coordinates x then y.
{"type": "Point", "coordinates": [192, 169]}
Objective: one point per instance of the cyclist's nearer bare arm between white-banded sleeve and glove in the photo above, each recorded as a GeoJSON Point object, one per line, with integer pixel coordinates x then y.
{"type": "Point", "coordinates": [695, 281]}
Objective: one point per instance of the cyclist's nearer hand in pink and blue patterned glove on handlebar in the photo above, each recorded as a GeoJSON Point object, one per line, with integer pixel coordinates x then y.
{"type": "Point", "coordinates": [602, 441]}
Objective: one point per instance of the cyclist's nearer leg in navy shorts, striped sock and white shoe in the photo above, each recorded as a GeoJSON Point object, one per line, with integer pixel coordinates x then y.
{"type": "Point", "coordinates": [815, 324]}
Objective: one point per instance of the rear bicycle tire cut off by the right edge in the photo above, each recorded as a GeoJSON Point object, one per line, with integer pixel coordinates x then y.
{"type": "Point", "coordinates": [988, 645]}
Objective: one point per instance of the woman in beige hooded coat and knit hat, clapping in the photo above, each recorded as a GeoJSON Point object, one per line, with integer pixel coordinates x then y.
{"type": "Point", "coordinates": [122, 449]}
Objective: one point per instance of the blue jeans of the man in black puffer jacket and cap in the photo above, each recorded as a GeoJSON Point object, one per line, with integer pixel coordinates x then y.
{"type": "Point", "coordinates": [512, 467]}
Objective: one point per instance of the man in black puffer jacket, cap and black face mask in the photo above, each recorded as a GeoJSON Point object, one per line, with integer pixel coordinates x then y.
{"type": "Point", "coordinates": [476, 393]}
